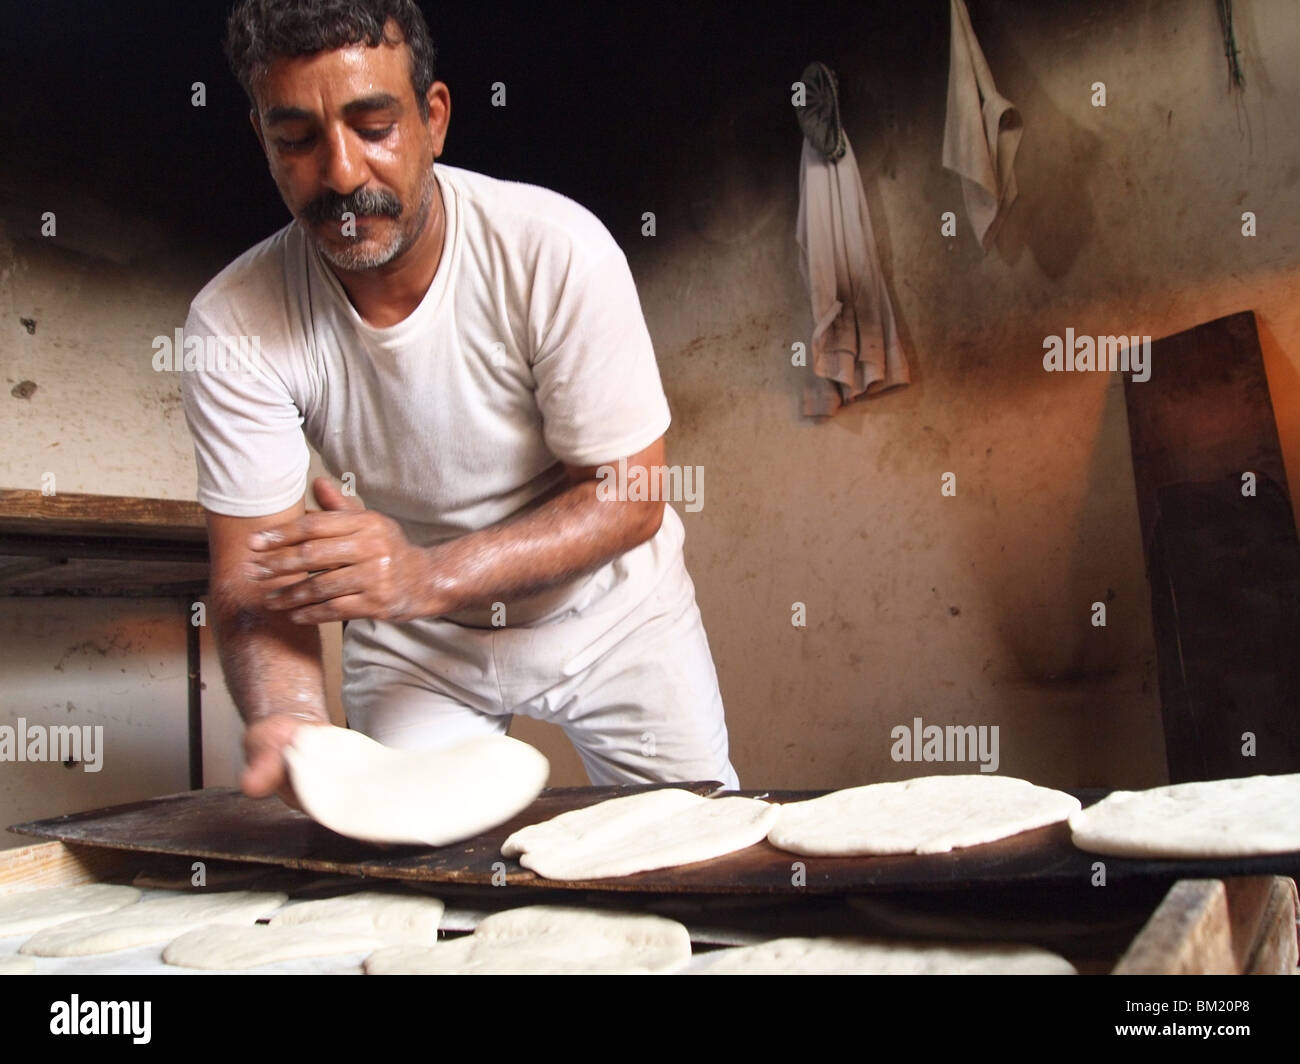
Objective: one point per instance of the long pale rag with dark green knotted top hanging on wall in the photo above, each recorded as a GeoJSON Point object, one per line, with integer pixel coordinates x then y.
{"type": "Point", "coordinates": [856, 349]}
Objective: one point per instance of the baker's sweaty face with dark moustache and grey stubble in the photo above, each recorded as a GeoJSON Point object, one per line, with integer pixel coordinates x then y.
{"type": "Point", "coordinates": [349, 150]}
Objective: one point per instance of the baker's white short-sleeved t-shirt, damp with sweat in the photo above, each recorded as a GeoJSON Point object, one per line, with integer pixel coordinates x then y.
{"type": "Point", "coordinates": [530, 349]}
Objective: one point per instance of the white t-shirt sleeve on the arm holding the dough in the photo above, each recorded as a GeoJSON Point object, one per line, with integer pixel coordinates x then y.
{"type": "Point", "coordinates": [249, 444]}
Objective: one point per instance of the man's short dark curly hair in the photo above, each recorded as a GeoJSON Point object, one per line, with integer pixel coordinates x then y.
{"type": "Point", "coordinates": [259, 32]}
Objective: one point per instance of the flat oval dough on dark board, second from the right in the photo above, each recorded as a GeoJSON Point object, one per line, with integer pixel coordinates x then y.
{"type": "Point", "coordinates": [930, 815]}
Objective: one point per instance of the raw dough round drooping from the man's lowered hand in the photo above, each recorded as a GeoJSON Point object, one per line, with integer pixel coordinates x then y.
{"type": "Point", "coordinates": [365, 790]}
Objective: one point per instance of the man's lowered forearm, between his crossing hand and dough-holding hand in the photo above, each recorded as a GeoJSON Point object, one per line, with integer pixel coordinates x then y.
{"type": "Point", "coordinates": [271, 664]}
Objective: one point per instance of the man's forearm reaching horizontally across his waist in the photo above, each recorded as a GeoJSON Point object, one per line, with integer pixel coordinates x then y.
{"type": "Point", "coordinates": [571, 534]}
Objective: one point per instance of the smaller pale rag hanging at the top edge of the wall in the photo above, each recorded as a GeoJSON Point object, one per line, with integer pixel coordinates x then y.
{"type": "Point", "coordinates": [982, 132]}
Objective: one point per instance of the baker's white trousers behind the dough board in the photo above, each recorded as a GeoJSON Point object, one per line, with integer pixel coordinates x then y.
{"type": "Point", "coordinates": [639, 702]}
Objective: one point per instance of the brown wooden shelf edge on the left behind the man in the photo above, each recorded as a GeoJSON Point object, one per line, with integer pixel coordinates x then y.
{"type": "Point", "coordinates": [102, 516]}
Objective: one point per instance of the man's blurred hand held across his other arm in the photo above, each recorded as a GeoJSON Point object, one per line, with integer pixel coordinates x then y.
{"type": "Point", "coordinates": [370, 566]}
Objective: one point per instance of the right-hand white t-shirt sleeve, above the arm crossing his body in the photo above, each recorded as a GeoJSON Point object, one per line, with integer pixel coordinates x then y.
{"type": "Point", "coordinates": [599, 387]}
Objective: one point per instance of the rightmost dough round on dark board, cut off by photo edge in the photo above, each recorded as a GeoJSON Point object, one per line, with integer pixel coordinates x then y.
{"type": "Point", "coordinates": [1253, 816]}
